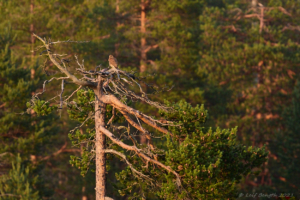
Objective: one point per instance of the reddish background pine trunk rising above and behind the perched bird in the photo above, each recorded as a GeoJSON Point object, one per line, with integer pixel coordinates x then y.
{"type": "Point", "coordinates": [143, 39]}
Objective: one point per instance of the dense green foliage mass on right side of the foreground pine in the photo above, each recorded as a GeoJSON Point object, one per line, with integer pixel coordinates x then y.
{"type": "Point", "coordinates": [209, 162]}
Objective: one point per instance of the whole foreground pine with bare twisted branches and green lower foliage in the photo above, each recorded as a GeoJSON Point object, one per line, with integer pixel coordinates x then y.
{"type": "Point", "coordinates": [195, 162]}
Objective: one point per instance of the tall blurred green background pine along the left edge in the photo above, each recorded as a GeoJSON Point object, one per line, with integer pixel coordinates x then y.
{"type": "Point", "coordinates": [22, 132]}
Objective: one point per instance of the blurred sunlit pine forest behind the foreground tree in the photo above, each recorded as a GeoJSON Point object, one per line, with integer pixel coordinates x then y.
{"type": "Point", "coordinates": [238, 57]}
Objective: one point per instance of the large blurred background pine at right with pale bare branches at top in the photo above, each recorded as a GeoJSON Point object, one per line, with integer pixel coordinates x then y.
{"type": "Point", "coordinates": [251, 51]}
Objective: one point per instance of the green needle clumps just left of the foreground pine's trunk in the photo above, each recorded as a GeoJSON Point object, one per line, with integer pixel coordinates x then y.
{"type": "Point", "coordinates": [82, 110]}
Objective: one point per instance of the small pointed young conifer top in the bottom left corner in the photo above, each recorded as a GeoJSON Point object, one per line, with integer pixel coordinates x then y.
{"type": "Point", "coordinates": [18, 183]}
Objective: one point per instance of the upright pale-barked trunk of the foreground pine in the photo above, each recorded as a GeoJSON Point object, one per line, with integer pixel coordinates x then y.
{"type": "Point", "coordinates": [100, 109]}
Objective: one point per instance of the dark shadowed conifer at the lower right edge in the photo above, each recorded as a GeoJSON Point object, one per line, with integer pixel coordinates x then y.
{"type": "Point", "coordinates": [285, 171]}
